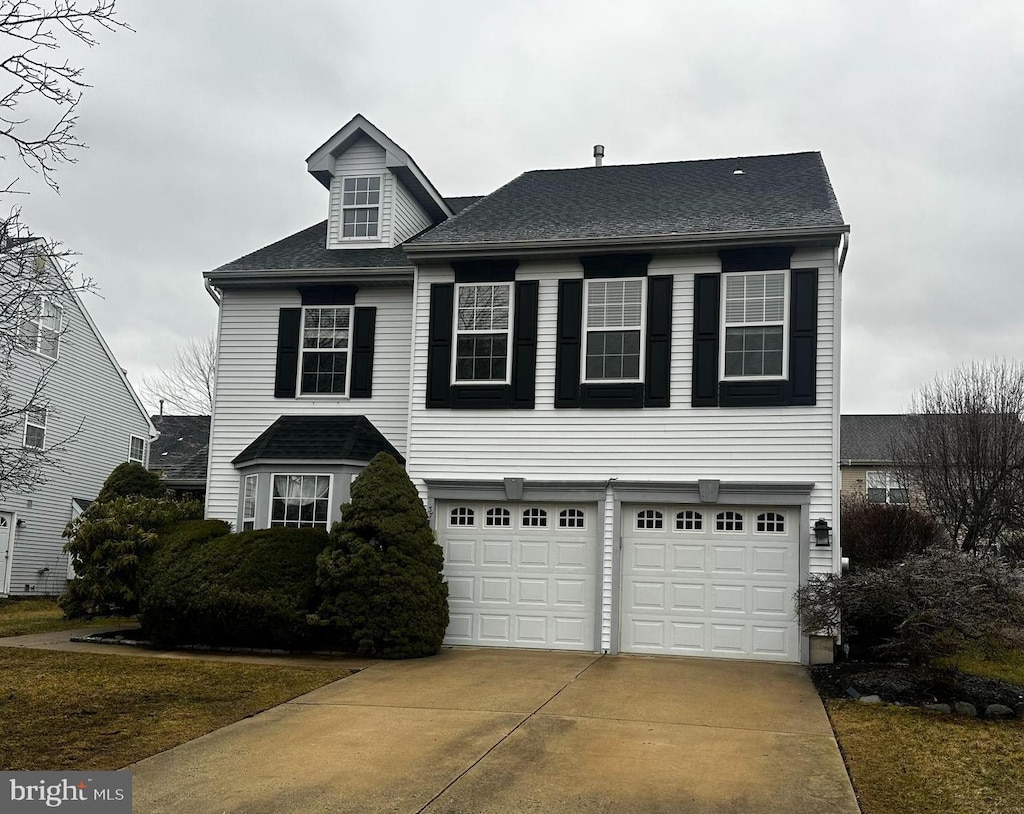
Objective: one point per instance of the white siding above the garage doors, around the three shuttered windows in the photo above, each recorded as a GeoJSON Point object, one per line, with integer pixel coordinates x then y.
{"type": "Point", "coordinates": [680, 444]}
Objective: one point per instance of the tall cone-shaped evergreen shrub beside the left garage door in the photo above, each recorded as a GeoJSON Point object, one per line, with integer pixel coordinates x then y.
{"type": "Point", "coordinates": [381, 578]}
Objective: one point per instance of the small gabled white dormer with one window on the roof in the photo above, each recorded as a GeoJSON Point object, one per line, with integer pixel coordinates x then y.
{"type": "Point", "coordinates": [379, 197]}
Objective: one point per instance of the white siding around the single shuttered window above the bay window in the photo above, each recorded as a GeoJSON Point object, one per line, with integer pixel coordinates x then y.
{"type": "Point", "coordinates": [246, 406]}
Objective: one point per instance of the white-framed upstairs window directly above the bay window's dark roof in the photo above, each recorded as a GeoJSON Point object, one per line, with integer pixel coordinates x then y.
{"type": "Point", "coordinates": [326, 340]}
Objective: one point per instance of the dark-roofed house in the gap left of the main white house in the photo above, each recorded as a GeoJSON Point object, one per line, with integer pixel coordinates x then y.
{"type": "Point", "coordinates": [180, 454]}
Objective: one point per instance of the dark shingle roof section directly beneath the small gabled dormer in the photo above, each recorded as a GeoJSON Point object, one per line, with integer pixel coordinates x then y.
{"type": "Point", "coordinates": [307, 250]}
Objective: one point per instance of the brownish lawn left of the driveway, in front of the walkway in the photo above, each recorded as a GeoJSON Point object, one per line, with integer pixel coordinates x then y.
{"type": "Point", "coordinates": [83, 711]}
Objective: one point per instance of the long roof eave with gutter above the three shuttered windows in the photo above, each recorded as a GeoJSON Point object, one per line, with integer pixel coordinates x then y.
{"type": "Point", "coordinates": [804, 235]}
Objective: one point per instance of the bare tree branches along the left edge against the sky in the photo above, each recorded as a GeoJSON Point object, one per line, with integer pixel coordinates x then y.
{"type": "Point", "coordinates": [35, 273]}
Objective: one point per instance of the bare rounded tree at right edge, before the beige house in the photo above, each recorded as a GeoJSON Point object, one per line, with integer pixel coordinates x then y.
{"type": "Point", "coordinates": [963, 452]}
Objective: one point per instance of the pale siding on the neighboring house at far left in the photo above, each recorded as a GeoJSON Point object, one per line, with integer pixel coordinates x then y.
{"type": "Point", "coordinates": [93, 406]}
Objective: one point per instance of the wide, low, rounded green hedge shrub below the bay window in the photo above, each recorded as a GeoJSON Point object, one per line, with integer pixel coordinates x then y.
{"type": "Point", "coordinates": [255, 589]}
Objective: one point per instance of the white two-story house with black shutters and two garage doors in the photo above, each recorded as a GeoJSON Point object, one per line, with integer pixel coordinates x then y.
{"type": "Point", "coordinates": [616, 389]}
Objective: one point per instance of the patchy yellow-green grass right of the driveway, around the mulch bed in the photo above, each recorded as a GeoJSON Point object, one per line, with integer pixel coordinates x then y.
{"type": "Point", "coordinates": [906, 761]}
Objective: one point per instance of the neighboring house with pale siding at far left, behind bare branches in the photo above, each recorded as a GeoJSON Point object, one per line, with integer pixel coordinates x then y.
{"type": "Point", "coordinates": [96, 409]}
